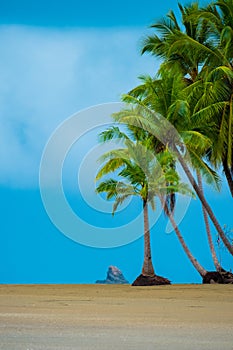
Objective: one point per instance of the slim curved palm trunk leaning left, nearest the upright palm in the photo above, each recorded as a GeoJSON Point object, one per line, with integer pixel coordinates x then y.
{"type": "Point", "coordinates": [193, 260]}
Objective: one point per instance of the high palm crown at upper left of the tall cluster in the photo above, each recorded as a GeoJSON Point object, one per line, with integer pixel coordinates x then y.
{"type": "Point", "coordinates": [170, 43]}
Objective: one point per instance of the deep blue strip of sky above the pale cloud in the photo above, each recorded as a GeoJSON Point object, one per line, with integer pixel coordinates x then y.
{"type": "Point", "coordinates": [73, 13]}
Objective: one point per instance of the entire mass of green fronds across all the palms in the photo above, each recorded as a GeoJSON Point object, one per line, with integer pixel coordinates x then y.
{"type": "Point", "coordinates": [187, 106]}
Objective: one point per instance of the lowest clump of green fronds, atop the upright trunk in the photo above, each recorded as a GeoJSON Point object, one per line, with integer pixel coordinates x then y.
{"type": "Point", "coordinates": [138, 172]}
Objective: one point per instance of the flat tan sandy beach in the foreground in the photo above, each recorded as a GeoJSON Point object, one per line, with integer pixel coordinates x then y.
{"type": "Point", "coordinates": [102, 317]}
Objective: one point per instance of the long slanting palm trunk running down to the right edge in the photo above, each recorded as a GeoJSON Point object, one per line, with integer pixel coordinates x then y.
{"type": "Point", "coordinates": [204, 202]}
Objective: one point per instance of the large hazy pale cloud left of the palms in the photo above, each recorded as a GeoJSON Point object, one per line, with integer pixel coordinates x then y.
{"type": "Point", "coordinates": [48, 74]}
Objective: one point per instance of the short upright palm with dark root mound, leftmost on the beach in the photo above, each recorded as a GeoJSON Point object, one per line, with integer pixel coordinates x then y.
{"type": "Point", "coordinates": [135, 162]}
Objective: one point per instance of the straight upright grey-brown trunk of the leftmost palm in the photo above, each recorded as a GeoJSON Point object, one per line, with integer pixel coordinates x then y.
{"type": "Point", "coordinates": [147, 269]}
